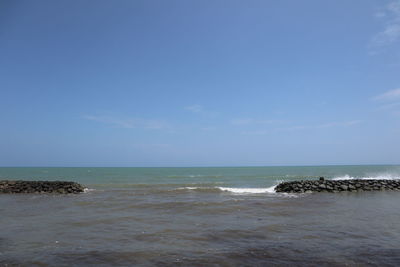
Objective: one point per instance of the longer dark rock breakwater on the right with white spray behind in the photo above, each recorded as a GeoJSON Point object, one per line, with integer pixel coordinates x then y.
{"type": "Point", "coordinates": [335, 186]}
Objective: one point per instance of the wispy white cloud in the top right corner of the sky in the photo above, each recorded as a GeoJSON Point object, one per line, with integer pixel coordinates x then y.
{"type": "Point", "coordinates": [390, 16]}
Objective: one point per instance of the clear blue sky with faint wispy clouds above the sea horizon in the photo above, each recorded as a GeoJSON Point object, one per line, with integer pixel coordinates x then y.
{"type": "Point", "coordinates": [199, 83]}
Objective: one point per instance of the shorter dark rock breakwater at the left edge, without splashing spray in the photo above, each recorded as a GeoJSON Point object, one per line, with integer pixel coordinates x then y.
{"type": "Point", "coordinates": [57, 187]}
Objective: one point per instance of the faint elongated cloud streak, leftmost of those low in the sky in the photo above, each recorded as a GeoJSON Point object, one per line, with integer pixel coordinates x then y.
{"type": "Point", "coordinates": [129, 122]}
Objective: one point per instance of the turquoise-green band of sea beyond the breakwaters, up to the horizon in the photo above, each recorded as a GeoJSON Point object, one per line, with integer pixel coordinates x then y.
{"type": "Point", "coordinates": [228, 176]}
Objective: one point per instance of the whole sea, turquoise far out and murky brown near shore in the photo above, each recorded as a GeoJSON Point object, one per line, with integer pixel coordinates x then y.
{"type": "Point", "coordinates": [199, 217]}
